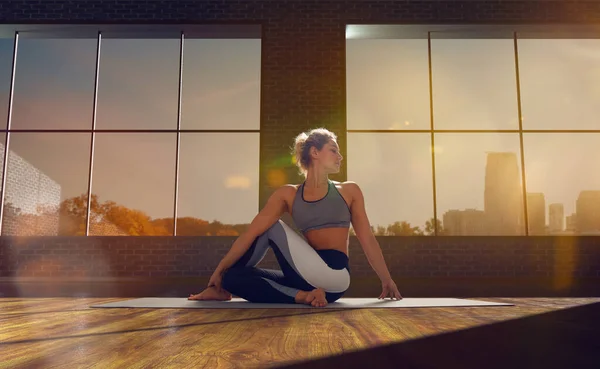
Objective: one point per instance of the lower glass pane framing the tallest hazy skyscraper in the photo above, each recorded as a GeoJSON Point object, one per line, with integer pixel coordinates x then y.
{"type": "Point", "coordinates": [478, 184]}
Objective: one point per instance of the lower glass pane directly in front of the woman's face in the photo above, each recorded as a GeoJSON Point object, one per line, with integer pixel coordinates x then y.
{"type": "Point", "coordinates": [394, 173]}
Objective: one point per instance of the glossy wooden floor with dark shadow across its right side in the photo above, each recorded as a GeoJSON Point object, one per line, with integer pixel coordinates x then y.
{"type": "Point", "coordinates": [66, 333]}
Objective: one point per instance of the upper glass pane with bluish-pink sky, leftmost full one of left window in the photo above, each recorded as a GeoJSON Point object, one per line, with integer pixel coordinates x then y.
{"type": "Point", "coordinates": [54, 84]}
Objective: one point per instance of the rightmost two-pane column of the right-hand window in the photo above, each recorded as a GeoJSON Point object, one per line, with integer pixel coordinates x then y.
{"type": "Point", "coordinates": [560, 89]}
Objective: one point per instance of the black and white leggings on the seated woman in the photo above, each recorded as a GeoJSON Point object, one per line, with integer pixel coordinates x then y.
{"type": "Point", "coordinates": [302, 268]}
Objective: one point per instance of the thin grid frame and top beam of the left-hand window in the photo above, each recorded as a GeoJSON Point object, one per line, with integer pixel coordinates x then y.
{"type": "Point", "coordinates": [249, 30]}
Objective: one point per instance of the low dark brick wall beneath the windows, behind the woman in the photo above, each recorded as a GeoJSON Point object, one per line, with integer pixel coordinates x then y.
{"type": "Point", "coordinates": [407, 257]}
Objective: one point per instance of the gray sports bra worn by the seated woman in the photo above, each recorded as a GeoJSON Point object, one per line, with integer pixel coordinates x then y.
{"type": "Point", "coordinates": [331, 211]}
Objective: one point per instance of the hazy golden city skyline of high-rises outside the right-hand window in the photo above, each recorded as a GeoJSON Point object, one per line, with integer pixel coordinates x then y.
{"type": "Point", "coordinates": [504, 210]}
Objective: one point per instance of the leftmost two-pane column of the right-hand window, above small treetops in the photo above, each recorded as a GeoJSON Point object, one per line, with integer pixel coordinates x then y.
{"type": "Point", "coordinates": [387, 90]}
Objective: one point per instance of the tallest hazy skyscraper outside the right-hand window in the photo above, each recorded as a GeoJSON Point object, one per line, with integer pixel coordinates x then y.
{"type": "Point", "coordinates": [503, 201]}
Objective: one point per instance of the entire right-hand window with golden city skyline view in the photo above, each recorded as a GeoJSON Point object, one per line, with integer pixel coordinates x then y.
{"type": "Point", "coordinates": [488, 132]}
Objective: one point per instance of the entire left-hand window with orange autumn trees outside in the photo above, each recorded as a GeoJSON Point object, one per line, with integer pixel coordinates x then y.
{"type": "Point", "coordinates": [130, 132]}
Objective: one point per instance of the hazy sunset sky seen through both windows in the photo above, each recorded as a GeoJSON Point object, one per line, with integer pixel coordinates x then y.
{"type": "Point", "coordinates": [474, 87]}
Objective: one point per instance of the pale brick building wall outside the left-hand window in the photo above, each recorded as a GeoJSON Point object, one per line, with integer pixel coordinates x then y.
{"type": "Point", "coordinates": [34, 199]}
